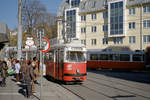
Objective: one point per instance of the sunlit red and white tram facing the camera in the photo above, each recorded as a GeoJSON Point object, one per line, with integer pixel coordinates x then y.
{"type": "Point", "coordinates": [66, 62]}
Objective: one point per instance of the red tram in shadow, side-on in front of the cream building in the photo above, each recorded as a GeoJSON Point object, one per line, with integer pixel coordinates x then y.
{"type": "Point", "coordinates": [116, 60]}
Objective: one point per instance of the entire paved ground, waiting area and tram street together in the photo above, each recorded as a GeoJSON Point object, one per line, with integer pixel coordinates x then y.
{"type": "Point", "coordinates": [100, 85]}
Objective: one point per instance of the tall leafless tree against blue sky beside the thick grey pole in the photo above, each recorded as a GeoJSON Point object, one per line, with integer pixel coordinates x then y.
{"type": "Point", "coordinates": [33, 12]}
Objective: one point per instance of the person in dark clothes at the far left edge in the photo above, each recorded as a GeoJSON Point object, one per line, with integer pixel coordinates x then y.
{"type": "Point", "coordinates": [4, 68]}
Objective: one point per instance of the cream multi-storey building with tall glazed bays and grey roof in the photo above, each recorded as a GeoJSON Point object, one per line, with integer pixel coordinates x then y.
{"type": "Point", "coordinates": [103, 23]}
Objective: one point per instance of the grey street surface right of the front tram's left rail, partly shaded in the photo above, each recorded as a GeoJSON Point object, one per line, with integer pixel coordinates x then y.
{"type": "Point", "coordinates": [113, 85]}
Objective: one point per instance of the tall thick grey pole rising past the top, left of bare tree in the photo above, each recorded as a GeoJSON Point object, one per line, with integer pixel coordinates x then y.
{"type": "Point", "coordinates": [19, 42]}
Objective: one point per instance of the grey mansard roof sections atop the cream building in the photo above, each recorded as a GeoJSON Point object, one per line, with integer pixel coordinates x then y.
{"type": "Point", "coordinates": [95, 5]}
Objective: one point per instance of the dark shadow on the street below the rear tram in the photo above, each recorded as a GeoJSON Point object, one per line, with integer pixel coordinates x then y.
{"type": "Point", "coordinates": [137, 76]}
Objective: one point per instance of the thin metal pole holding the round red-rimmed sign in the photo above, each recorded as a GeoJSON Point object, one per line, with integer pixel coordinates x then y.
{"type": "Point", "coordinates": [41, 67]}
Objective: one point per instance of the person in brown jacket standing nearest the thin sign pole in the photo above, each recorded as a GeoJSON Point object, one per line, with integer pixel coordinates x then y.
{"type": "Point", "coordinates": [29, 76]}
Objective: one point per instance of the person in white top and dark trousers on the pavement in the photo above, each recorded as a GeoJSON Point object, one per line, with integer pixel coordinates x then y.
{"type": "Point", "coordinates": [17, 71]}
